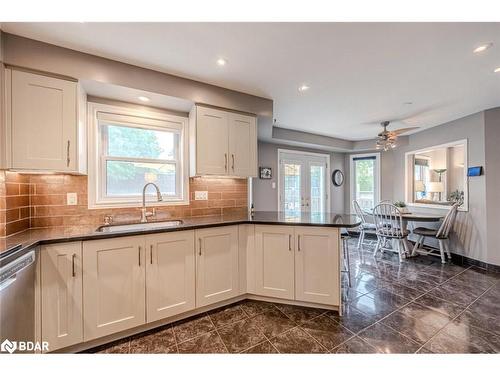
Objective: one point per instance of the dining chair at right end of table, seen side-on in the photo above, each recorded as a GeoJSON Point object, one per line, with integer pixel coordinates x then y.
{"type": "Point", "coordinates": [442, 234]}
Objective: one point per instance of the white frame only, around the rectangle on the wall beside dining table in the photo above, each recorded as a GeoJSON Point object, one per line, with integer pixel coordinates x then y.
{"type": "Point", "coordinates": [409, 183]}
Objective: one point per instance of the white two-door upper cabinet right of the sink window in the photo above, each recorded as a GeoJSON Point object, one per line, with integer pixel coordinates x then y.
{"type": "Point", "coordinates": [222, 143]}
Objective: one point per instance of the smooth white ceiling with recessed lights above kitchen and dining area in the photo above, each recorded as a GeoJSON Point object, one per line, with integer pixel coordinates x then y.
{"type": "Point", "coordinates": [359, 73]}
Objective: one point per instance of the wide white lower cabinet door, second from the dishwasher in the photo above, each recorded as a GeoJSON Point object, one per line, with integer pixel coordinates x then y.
{"type": "Point", "coordinates": [113, 285]}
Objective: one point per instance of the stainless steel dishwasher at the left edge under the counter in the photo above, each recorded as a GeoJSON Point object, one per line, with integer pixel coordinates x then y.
{"type": "Point", "coordinates": [17, 296]}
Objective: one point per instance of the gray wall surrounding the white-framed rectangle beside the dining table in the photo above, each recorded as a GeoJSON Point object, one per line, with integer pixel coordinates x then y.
{"type": "Point", "coordinates": [470, 235]}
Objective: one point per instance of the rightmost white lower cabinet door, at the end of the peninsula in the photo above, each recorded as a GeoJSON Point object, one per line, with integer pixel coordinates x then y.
{"type": "Point", "coordinates": [317, 271]}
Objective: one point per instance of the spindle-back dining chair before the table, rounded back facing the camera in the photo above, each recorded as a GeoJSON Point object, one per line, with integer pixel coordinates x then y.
{"type": "Point", "coordinates": [389, 226]}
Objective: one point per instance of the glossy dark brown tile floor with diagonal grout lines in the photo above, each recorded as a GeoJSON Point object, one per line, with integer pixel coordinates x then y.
{"type": "Point", "coordinates": [419, 306]}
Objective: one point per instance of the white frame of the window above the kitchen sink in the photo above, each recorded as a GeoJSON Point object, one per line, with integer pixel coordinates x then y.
{"type": "Point", "coordinates": [140, 118]}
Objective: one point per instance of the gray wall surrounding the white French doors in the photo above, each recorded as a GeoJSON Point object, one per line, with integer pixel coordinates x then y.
{"type": "Point", "coordinates": [265, 198]}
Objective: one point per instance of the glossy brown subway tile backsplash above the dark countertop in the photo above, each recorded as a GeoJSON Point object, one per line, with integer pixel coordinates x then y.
{"type": "Point", "coordinates": [40, 201]}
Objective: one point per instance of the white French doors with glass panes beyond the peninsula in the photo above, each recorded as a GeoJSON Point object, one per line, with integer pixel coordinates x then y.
{"type": "Point", "coordinates": [303, 182]}
